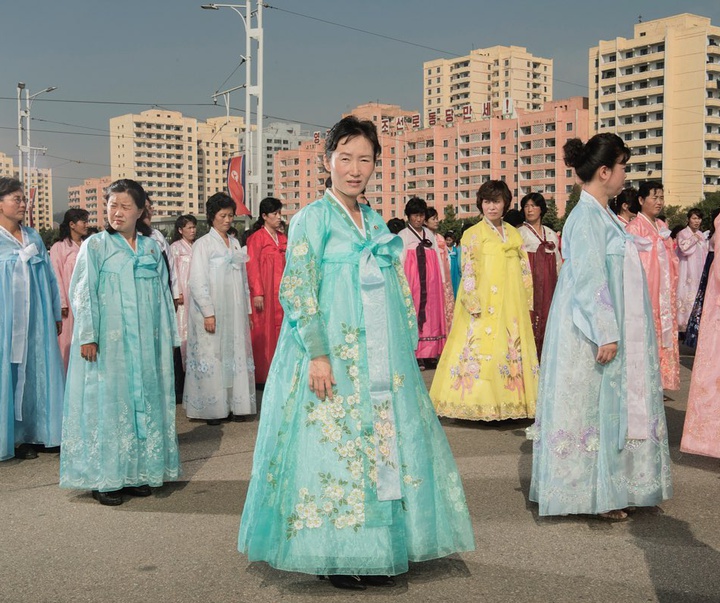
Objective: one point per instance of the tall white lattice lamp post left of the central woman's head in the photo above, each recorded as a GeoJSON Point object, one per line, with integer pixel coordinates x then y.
{"type": "Point", "coordinates": [255, 161]}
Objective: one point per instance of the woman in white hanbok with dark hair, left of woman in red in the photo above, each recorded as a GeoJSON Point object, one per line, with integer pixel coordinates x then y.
{"type": "Point", "coordinates": [220, 373]}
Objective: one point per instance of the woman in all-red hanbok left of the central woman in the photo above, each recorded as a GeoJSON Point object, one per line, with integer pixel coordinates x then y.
{"type": "Point", "coordinates": [266, 249]}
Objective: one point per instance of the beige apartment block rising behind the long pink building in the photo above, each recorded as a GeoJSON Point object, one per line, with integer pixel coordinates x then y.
{"type": "Point", "coordinates": [508, 77]}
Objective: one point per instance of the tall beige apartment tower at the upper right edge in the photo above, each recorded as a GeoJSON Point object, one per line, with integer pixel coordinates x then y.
{"type": "Point", "coordinates": [660, 91]}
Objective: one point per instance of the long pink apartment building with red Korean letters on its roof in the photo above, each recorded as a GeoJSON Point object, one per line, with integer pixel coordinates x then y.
{"type": "Point", "coordinates": [446, 163]}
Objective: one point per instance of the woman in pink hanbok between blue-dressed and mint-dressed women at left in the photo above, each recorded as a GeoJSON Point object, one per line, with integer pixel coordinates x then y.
{"type": "Point", "coordinates": [63, 255]}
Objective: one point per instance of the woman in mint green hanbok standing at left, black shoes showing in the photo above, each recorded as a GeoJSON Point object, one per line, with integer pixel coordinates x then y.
{"type": "Point", "coordinates": [119, 414]}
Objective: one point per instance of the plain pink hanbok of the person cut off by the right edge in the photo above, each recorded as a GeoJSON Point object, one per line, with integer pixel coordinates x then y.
{"type": "Point", "coordinates": [701, 434]}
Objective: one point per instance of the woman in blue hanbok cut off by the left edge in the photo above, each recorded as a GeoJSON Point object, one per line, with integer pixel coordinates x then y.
{"type": "Point", "coordinates": [31, 368]}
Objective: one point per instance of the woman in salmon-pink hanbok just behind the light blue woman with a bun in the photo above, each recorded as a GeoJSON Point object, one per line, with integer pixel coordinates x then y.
{"type": "Point", "coordinates": [660, 262]}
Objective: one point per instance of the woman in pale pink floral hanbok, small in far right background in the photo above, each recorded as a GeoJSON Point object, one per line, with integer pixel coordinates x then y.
{"type": "Point", "coordinates": [692, 250]}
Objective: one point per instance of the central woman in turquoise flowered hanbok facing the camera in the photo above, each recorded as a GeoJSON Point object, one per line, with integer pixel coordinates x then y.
{"type": "Point", "coordinates": [352, 475]}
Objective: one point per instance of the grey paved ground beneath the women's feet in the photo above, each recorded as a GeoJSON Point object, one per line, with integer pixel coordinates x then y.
{"type": "Point", "coordinates": [180, 544]}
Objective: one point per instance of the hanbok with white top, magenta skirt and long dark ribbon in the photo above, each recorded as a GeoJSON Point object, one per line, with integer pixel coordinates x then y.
{"type": "Point", "coordinates": [421, 262]}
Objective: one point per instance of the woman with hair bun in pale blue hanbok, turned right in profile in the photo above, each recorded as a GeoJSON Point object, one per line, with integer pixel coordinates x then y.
{"type": "Point", "coordinates": [600, 438]}
